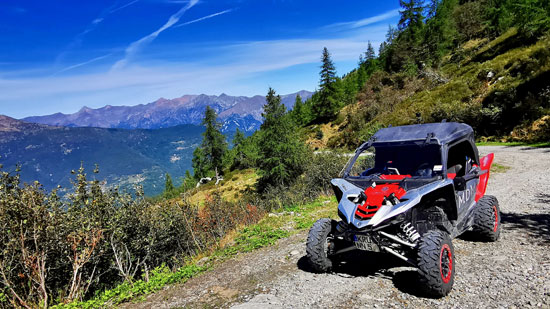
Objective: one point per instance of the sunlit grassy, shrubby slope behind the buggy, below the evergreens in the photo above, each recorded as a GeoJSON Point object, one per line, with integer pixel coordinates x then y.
{"type": "Point", "coordinates": [505, 97]}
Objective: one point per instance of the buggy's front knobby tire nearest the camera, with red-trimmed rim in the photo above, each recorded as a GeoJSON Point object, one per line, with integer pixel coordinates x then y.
{"type": "Point", "coordinates": [436, 266]}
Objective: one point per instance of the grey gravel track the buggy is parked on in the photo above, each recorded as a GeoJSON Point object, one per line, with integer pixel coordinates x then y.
{"type": "Point", "coordinates": [513, 272]}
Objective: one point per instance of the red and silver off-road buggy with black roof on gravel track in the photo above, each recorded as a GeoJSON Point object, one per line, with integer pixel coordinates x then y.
{"type": "Point", "coordinates": [408, 191]}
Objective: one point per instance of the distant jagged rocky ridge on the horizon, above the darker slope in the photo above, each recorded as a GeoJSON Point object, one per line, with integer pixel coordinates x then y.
{"type": "Point", "coordinates": [233, 111]}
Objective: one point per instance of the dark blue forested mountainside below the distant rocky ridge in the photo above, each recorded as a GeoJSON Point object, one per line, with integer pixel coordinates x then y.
{"type": "Point", "coordinates": [125, 157]}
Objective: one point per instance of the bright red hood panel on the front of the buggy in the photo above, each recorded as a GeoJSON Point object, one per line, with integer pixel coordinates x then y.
{"type": "Point", "coordinates": [376, 196]}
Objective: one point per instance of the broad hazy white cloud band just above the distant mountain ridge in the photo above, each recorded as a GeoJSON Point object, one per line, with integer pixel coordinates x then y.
{"type": "Point", "coordinates": [245, 68]}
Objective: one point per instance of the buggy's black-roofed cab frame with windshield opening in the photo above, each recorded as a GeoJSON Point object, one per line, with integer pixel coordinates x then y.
{"type": "Point", "coordinates": [423, 153]}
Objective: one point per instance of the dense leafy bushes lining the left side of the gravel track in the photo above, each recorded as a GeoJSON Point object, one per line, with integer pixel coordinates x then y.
{"type": "Point", "coordinates": [63, 249]}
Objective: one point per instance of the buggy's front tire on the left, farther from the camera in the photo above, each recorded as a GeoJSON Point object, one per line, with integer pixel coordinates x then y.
{"type": "Point", "coordinates": [317, 248]}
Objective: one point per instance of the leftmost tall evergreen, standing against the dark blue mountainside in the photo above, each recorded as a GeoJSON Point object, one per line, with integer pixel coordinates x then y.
{"type": "Point", "coordinates": [209, 156]}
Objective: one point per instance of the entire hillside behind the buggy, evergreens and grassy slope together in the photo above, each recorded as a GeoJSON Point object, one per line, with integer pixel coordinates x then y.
{"type": "Point", "coordinates": [485, 63]}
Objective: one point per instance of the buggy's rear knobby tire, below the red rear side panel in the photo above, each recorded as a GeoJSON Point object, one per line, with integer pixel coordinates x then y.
{"type": "Point", "coordinates": [487, 219]}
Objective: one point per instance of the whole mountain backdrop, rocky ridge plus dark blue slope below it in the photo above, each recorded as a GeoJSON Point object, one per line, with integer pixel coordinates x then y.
{"type": "Point", "coordinates": [131, 144]}
